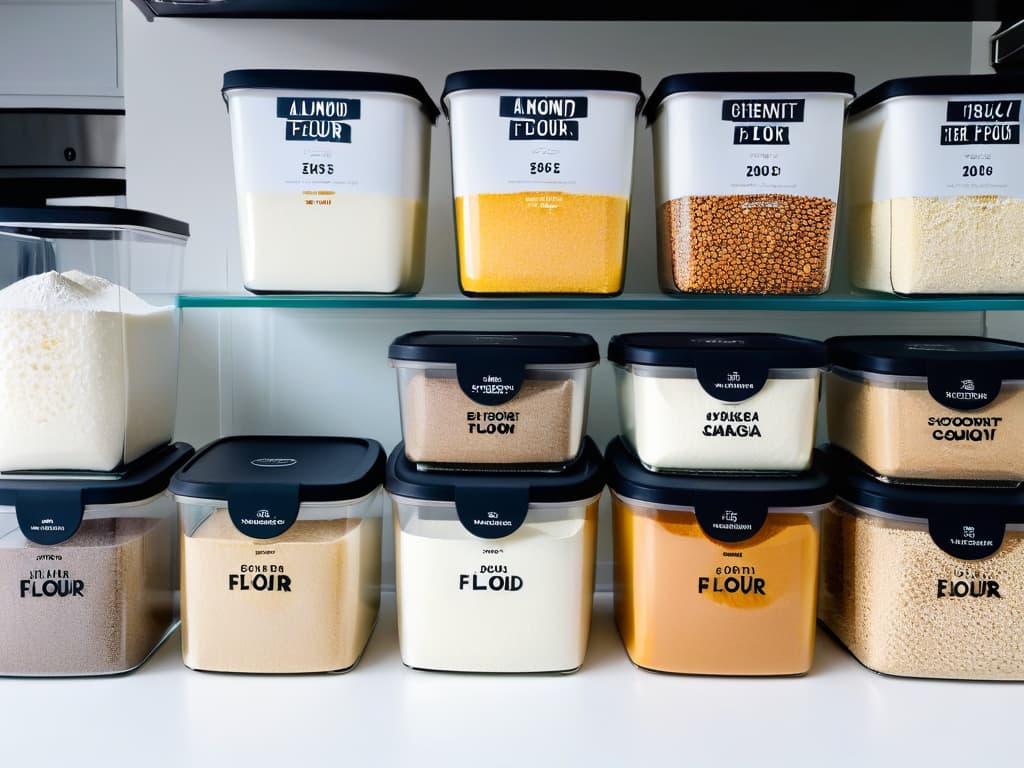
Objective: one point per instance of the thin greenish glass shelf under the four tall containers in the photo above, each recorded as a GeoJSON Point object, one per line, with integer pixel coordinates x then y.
{"type": "Point", "coordinates": [628, 303]}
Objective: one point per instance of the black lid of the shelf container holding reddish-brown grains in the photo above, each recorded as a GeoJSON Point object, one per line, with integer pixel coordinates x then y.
{"type": "Point", "coordinates": [749, 82]}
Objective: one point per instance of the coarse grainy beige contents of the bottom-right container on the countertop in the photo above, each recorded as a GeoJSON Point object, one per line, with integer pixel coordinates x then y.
{"type": "Point", "coordinates": [880, 596]}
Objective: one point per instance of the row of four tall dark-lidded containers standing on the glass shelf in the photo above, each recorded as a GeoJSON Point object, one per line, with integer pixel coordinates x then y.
{"type": "Point", "coordinates": [331, 173]}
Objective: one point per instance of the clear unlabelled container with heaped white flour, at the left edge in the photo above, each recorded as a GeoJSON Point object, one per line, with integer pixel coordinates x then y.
{"type": "Point", "coordinates": [89, 336]}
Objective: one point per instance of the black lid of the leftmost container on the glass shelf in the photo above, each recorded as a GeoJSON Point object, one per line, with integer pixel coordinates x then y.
{"type": "Point", "coordinates": [328, 80]}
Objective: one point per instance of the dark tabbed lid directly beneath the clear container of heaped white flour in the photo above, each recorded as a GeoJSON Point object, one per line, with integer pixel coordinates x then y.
{"type": "Point", "coordinates": [50, 511]}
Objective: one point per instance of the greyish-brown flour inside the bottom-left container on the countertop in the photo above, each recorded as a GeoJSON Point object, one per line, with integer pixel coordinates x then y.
{"type": "Point", "coordinates": [97, 605]}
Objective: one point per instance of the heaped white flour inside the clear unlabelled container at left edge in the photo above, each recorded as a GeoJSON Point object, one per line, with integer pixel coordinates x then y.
{"type": "Point", "coordinates": [89, 374]}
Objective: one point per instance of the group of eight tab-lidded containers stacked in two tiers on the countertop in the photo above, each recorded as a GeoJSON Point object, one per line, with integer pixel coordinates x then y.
{"type": "Point", "coordinates": [734, 535]}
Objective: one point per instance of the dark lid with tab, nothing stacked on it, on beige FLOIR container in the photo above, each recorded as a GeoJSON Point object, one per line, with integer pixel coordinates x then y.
{"type": "Point", "coordinates": [264, 480]}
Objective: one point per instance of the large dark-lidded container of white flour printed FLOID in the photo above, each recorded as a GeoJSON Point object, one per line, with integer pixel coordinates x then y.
{"type": "Point", "coordinates": [495, 572]}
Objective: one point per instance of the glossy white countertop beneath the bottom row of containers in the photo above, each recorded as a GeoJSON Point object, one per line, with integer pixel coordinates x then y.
{"type": "Point", "coordinates": [608, 714]}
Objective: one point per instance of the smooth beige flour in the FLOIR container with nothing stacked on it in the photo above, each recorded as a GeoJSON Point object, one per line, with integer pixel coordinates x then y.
{"type": "Point", "coordinates": [321, 624]}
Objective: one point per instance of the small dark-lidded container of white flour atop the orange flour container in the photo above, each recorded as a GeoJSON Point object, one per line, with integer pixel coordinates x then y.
{"type": "Point", "coordinates": [718, 402]}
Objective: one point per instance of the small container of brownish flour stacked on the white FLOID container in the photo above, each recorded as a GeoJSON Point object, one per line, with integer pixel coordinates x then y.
{"type": "Point", "coordinates": [491, 401]}
